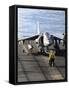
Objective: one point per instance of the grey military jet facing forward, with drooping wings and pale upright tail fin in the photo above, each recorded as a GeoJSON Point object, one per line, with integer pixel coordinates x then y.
{"type": "Point", "coordinates": [41, 42]}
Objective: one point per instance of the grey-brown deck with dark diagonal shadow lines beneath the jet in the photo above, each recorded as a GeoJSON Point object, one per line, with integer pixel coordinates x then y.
{"type": "Point", "coordinates": [36, 67]}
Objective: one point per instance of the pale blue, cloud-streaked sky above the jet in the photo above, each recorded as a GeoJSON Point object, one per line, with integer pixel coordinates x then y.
{"type": "Point", "coordinates": [51, 21]}
